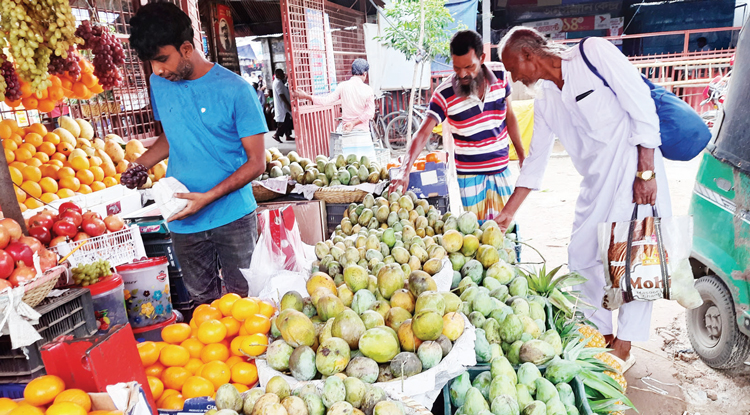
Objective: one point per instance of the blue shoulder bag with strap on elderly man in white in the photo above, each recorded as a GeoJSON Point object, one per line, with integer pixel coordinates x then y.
{"type": "Point", "coordinates": [683, 133]}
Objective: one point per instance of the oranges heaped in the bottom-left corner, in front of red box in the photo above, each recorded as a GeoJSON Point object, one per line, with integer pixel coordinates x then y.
{"type": "Point", "coordinates": [46, 395]}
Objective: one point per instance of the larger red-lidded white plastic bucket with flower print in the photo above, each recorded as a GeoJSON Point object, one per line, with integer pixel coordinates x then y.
{"type": "Point", "coordinates": [147, 294]}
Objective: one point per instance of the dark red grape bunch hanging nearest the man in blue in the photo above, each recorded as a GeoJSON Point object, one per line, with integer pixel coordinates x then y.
{"type": "Point", "coordinates": [107, 50]}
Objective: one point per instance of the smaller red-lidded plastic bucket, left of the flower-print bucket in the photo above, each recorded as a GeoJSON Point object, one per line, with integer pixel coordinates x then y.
{"type": "Point", "coordinates": [108, 297]}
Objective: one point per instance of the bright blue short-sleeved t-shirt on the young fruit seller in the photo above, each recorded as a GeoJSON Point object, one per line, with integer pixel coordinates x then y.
{"type": "Point", "coordinates": [204, 121]}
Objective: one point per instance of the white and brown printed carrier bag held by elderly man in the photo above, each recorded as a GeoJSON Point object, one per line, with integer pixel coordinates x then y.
{"type": "Point", "coordinates": [647, 260]}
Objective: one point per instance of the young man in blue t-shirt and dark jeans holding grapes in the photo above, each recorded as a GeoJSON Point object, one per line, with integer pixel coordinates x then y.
{"type": "Point", "coordinates": [213, 135]}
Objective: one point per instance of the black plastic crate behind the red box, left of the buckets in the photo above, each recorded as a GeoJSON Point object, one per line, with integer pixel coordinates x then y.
{"type": "Point", "coordinates": [69, 314]}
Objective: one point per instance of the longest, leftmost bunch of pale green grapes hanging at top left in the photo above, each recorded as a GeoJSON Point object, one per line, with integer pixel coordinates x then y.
{"type": "Point", "coordinates": [27, 44]}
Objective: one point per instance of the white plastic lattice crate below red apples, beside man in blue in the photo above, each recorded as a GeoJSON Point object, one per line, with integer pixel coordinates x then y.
{"type": "Point", "coordinates": [118, 248]}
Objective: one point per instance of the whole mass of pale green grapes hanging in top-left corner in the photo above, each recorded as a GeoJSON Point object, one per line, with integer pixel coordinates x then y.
{"type": "Point", "coordinates": [36, 30]}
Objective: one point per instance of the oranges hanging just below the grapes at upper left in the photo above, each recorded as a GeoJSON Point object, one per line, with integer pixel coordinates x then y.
{"type": "Point", "coordinates": [84, 87]}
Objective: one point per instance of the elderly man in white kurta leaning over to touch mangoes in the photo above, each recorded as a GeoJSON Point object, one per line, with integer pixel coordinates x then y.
{"type": "Point", "coordinates": [612, 137]}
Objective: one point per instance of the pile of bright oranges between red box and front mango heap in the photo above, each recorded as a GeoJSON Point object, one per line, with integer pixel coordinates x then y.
{"type": "Point", "coordinates": [216, 348]}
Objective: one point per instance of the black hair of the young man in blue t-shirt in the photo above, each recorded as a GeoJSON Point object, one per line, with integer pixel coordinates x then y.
{"type": "Point", "coordinates": [156, 25]}
